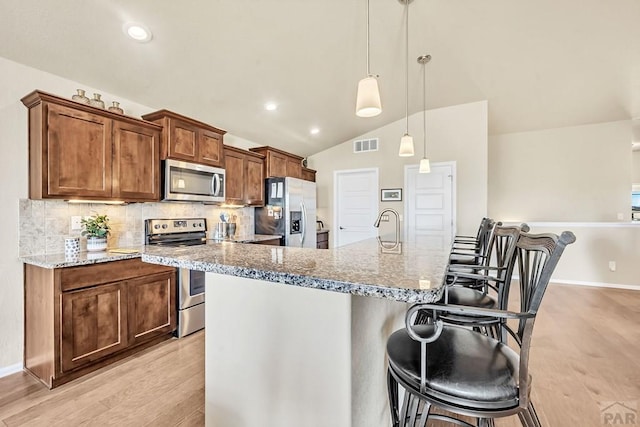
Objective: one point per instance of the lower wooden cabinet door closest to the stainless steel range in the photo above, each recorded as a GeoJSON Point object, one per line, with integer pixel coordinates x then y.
{"type": "Point", "coordinates": [152, 306]}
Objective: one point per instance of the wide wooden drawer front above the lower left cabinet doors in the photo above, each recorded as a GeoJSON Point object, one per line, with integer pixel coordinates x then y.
{"type": "Point", "coordinates": [90, 275]}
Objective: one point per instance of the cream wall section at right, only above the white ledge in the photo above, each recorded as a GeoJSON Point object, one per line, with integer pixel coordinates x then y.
{"type": "Point", "coordinates": [580, 173]}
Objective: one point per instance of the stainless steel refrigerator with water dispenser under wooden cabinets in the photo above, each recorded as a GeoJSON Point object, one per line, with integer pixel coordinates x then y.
{"type": "Point", "coordinates": [290, 211]}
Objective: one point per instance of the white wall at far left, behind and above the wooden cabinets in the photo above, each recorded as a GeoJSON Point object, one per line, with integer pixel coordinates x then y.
{"type": "Point", "coordinates": [17, 81]}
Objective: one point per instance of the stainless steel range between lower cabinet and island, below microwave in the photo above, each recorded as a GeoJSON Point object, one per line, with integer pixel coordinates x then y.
{"type": "Point", "coordinates": [190, 292]}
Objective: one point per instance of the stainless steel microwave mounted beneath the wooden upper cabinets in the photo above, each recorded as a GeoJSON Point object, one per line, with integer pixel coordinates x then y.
{"type": "Point", "coordinates": [185, 181]}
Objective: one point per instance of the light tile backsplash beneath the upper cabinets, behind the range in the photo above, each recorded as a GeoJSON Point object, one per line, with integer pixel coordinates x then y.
{"type": "Point", "coordinates": [44, 224]}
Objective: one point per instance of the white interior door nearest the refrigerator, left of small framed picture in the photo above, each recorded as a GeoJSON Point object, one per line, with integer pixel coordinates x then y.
{"type": "Point", "coordinates": [356, 205]}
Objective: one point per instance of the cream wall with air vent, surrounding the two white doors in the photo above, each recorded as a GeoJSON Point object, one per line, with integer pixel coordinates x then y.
{"type": "Point", "coordinates": [457, 133]}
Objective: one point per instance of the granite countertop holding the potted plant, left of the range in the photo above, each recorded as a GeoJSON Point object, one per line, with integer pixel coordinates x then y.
{"type": "Point", "coordinates": [84, 258]}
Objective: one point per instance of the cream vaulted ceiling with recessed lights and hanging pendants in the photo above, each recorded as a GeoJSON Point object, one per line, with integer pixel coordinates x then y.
{"type": "Point", "coordinates": [540, 64]}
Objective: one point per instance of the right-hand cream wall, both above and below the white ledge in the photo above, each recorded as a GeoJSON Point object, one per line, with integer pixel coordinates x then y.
{"type": "Point", "coordinates": [575, 178]}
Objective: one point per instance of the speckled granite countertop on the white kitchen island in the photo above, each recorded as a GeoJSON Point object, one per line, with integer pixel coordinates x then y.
{"type": "Point", "coordinates": [361, 268]}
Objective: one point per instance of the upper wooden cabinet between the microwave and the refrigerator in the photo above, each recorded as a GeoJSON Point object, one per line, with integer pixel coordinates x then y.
{"type": "Point", "coordinates": [244, 176]}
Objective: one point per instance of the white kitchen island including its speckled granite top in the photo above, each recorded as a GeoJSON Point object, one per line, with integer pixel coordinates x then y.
{"type": "Point", "coordinates": [281, 350]}
